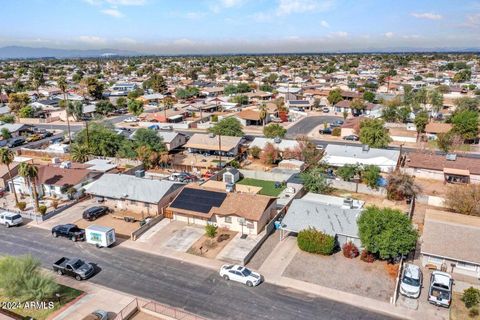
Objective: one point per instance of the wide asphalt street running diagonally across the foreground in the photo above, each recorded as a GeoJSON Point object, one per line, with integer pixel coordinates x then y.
{"type": "Point", "coordinates": [195, 289]}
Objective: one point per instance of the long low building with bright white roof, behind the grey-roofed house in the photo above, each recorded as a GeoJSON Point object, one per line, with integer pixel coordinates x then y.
{"type": "Point", "coordinates": [339, 155]}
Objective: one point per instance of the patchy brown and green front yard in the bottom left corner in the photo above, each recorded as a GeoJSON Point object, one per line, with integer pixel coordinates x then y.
{"type": "Point", "coordinates": [40, 311]}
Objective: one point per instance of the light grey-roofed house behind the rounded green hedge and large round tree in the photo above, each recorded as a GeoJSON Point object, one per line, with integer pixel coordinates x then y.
{"type": "Point", "coordinates": [335, 216]}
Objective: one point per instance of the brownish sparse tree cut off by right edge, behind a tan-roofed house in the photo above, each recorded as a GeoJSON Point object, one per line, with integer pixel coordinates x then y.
{"type": "Point", "coordinates": [464, 199]}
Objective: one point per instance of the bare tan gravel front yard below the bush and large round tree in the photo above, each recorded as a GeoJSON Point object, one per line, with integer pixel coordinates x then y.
{"type": "Point", "coordinates": [350, 275]}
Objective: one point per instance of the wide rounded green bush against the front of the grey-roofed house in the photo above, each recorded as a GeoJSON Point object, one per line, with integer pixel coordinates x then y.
{"type": "Point", "coordinates": [313, 241]}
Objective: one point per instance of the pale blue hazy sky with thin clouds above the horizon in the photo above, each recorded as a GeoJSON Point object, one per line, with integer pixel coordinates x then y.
{"type": "Point", "coordinates": [222, 26]}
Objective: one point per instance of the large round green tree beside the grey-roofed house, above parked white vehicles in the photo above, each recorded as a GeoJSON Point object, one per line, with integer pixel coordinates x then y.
{"type": "Point", "coordinates": [386, 232]}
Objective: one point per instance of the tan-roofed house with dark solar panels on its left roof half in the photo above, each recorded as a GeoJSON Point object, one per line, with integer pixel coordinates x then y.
{"type": "Point", "coordinates": [242, 212]}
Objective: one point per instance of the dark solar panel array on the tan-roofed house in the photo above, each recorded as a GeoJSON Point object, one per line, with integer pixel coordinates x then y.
{"type": "Point", "coordinates": [198, 200]}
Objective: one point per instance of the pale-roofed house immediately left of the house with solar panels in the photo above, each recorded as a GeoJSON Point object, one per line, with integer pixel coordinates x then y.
{"type": "Point", "coordinates": [126, 192]}
